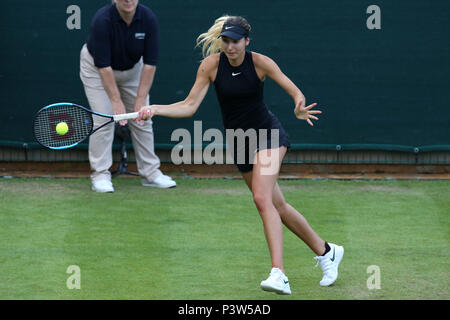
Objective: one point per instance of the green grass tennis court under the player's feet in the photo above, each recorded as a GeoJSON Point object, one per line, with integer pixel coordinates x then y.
{"type": "Point", "coordinates": [204, 239]}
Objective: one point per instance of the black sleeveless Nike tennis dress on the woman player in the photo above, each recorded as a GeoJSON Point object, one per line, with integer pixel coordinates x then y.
{"type": "Point", "coordinates": [241, 98]}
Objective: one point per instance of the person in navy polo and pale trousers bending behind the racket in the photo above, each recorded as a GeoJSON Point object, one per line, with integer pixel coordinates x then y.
{"type": "Point", "coordinates": [117, 68]}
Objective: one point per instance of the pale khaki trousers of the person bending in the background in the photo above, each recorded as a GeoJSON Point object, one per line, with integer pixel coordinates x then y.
{"type": "Point", "coordinates": [100, 143]}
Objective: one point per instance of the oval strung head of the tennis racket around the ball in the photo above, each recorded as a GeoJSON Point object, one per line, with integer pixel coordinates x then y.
{"type": "Point", "coordinates": [78, 120]}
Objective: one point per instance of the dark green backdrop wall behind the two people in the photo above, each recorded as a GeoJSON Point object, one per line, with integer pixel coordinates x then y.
{"type": "Point", "coordinates": [388, 86]}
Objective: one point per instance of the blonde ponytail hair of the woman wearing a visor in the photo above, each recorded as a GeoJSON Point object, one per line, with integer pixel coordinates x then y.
{"type": "Point", "coordinates": [210, 41]}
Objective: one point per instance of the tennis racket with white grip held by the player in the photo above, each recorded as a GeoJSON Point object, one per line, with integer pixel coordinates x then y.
{"type": "Point", "coordinates": [79, 124]}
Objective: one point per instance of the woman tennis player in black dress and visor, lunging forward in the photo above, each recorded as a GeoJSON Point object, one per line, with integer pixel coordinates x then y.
{"type": "Point", "coordinates": [238, 76]}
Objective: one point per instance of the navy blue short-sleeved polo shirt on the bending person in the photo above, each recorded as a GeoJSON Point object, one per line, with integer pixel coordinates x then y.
{"type": "Point", "coordinates": [112, 43]}
